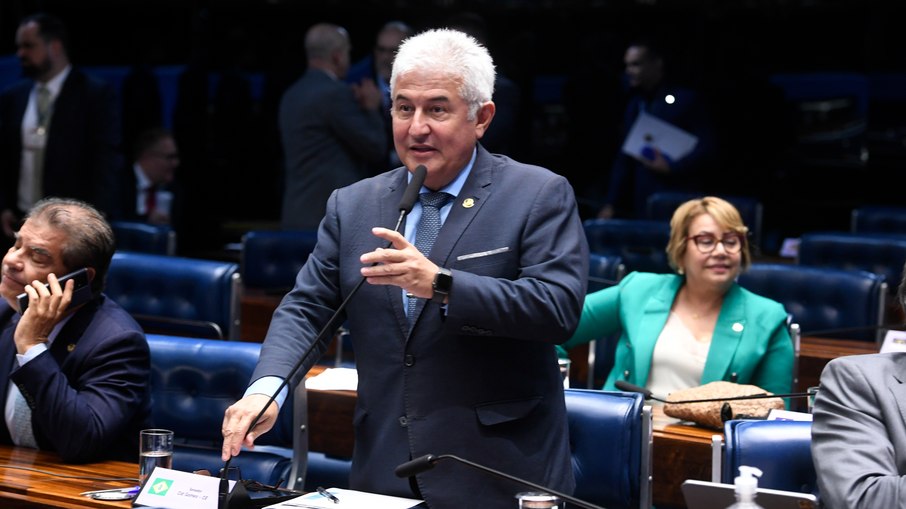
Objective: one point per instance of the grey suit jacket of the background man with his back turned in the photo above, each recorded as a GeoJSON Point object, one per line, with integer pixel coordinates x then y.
{"type": "Point", "coordinates": [328, 142]}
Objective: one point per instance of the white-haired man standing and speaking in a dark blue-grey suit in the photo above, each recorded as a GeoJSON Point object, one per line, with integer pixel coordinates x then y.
{"type": "Point", "coordinates": [455, 346]}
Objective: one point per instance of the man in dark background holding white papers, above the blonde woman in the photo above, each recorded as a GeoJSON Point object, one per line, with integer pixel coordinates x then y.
{"type": "Point", "coordinates": [648, 166]}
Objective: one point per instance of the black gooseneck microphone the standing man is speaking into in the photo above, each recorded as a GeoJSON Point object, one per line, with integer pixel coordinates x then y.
{"type": "Point", "coordinates": [238, 498]}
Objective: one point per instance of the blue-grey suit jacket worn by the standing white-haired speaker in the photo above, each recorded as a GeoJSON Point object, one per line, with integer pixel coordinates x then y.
{"type": "Point", "coordinates": [479, 380]}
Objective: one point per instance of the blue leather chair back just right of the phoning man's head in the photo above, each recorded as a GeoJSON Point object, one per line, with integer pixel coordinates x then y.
{"type": "Point", "coordinates": [177, 295]}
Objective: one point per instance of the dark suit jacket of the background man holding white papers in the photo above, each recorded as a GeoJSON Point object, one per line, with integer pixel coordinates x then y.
{"type": "Point", "coordinates": [631, 179]}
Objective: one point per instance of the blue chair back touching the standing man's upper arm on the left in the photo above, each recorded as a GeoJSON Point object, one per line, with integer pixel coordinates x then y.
{"type": "Point", "coordinates": [270, 259]}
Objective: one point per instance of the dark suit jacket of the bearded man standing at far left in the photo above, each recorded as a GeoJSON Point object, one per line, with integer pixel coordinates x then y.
{"type": "Point", "coordinates": [82, 158]}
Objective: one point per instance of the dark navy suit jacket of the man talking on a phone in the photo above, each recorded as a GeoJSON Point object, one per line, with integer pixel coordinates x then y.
{"type": "Point", "coordinates": [89, 392]}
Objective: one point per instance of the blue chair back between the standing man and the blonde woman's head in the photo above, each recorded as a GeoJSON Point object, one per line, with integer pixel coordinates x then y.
{"type": "Point", "coordinates": [640, 243]}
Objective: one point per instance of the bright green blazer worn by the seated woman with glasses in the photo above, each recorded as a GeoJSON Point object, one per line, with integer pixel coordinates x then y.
{"type": "Point", "coordinates": [751, 339]}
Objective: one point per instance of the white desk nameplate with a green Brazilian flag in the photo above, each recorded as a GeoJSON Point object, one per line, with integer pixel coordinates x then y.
{"type": "Point", "coordinates": [172, 489]}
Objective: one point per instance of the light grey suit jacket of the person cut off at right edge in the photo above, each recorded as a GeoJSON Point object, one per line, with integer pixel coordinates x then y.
{"type": "Point", "coordinates": [859, 432]}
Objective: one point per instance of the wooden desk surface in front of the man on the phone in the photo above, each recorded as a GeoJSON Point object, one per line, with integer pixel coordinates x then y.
{"type": "Point", "coordinates": [26, 488]}
